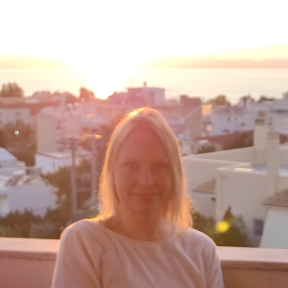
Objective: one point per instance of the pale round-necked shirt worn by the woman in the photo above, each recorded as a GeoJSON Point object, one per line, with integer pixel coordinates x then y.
{"type": "Point", "coordinates": [93, 256]}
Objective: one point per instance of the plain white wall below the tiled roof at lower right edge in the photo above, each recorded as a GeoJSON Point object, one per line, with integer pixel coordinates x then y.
{"type": "Point", "coordinates": [275, 234]}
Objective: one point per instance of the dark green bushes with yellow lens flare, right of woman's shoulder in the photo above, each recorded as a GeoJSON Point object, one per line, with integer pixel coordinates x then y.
{"type": "Point", "coordinates": [235, 234]}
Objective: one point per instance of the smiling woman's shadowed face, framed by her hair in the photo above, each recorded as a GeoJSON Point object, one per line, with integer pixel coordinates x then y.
{"type": "Point", "coordinates": [142, 174]}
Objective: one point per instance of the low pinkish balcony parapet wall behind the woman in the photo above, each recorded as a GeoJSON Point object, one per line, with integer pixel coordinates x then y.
{"type": "Point", "coordinates": [29, 263]}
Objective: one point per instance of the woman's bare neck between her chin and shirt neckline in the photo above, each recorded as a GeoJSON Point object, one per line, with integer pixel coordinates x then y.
{"type": "Point", "coordinates": [143, 227]}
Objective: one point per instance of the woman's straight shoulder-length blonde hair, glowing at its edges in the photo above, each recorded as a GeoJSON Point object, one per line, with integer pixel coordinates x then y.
{"type": "Point", "coordinates": [177, 210]}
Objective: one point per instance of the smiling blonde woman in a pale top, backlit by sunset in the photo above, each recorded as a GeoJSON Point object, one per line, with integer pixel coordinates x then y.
{"type": "Point", "coordinates": [142, 236]}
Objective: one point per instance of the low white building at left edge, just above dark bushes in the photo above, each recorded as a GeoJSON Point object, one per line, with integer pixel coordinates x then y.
{"type": "Point", "coordinates": [25, 190]}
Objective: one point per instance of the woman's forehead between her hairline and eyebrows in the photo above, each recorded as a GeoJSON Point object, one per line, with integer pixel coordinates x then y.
{"type": "Point", "coordinates": [142, 144]}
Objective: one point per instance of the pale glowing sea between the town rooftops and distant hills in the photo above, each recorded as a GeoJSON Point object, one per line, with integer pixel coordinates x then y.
{"type": "Point", "coordinates": [204, 83]}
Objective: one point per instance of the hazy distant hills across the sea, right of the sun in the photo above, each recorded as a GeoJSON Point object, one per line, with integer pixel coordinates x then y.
{"type": "Point", "coordinates": [211, 63]}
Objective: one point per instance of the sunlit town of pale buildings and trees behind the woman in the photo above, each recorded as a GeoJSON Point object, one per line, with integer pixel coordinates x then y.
{"type": "Point", "coordinates": [234, 156]}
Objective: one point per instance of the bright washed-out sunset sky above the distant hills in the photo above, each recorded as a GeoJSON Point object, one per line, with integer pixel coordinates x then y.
{"type": "Point", "coordinates": [116, 34]}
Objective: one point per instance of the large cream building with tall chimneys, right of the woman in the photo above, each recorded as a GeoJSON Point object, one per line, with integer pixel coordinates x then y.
{"type": "Point", "coordinates": [244, 179]}
